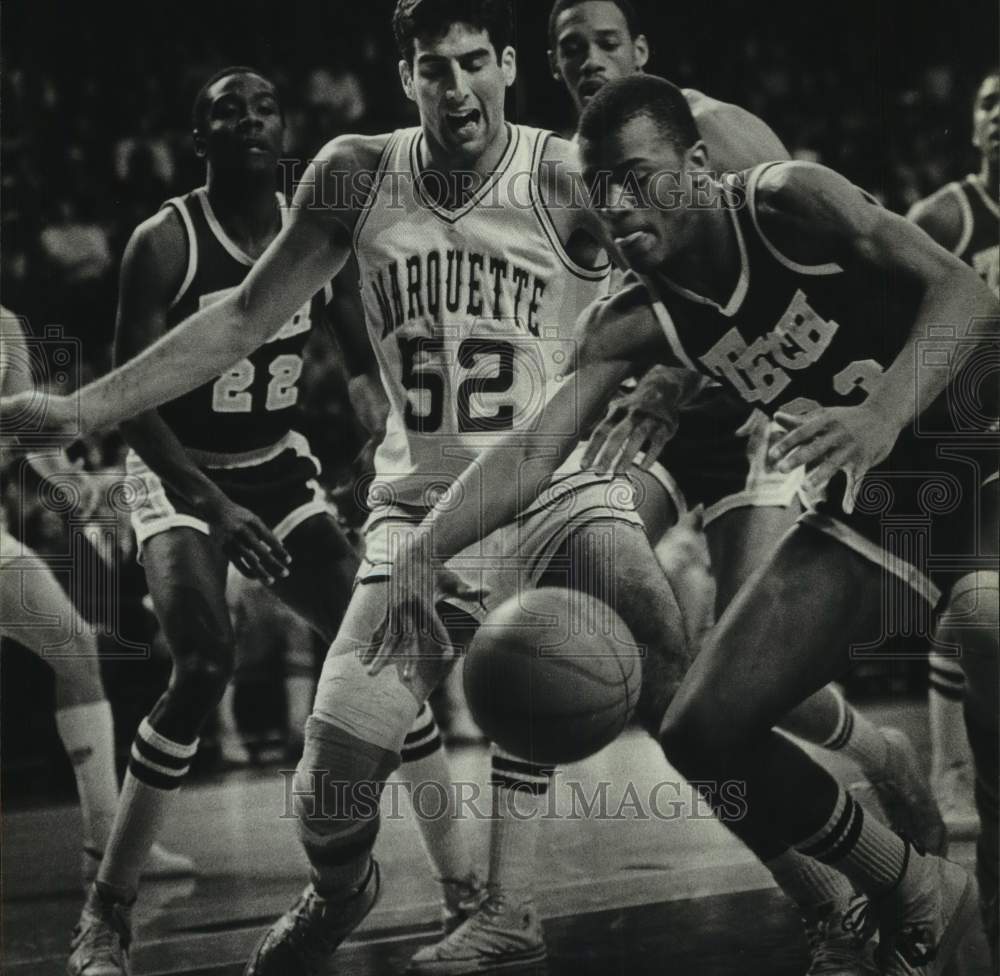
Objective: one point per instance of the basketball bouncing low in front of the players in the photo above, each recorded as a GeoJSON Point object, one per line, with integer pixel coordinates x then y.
{"type": "Point", "coordinates": [552, 675]}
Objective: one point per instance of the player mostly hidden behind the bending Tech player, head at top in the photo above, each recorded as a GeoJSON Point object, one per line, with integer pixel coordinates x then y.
{"type": "Point", "coordinates": [717, 458]}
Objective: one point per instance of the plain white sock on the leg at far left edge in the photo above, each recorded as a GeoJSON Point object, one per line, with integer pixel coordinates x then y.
{"type": "Point", "coordinates": [88, 736]}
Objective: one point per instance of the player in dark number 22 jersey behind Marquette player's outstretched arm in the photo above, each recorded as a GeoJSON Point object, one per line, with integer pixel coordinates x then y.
{"type": "Point", "coordinates": [224, 478]}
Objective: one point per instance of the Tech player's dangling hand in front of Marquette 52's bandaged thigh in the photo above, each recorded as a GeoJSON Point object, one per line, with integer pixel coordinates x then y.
{"type": "Point", "coordinates": [413, 631]}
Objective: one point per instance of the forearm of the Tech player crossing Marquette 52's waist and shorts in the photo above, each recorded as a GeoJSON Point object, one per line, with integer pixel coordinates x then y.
{"type": "Point", "coordinates": [511, 474]}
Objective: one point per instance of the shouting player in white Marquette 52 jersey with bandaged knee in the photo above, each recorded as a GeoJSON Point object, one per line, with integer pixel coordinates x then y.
{"type": "Point", "coordinates": [471, 331]}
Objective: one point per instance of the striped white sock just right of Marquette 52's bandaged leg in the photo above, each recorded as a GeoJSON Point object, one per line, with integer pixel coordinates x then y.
{"type": "Point", "coordinates": [427, 777]}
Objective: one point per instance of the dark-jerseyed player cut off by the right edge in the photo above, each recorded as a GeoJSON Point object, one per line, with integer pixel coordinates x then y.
{"type": "Point", "coordinates": [964, 217]}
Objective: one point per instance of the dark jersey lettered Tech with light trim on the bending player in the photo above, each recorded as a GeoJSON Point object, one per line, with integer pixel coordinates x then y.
{"type": "Point", "coordinates": [790, 337]}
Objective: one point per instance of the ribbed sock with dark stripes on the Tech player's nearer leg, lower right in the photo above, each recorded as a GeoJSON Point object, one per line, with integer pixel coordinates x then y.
{"type": "Point", "coordinates": [866, 851]}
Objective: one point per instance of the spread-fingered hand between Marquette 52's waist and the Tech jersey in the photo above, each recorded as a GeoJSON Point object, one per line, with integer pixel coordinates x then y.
{"type": "Point", "coordinates": [644, 420]}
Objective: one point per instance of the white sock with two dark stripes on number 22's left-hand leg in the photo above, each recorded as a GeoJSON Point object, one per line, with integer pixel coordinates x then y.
{"type": "Point", "coordinates": [155, 770]}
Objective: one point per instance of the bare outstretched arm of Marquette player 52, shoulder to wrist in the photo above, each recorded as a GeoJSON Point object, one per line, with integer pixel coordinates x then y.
{"type": "Point", "coordinates": [308, 252]}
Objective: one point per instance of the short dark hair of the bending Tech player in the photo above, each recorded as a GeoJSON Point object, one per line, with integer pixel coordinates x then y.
{"type": "Point", "coordinates": [619, 101]}
